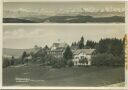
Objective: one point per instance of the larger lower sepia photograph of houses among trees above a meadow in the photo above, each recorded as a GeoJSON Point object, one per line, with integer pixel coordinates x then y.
{"type": "Point", "coordinates": [64, 55]}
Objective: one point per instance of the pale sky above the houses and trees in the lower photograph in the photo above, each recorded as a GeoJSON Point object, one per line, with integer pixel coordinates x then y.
{"type": "Point", "coordinates": [27, 36]}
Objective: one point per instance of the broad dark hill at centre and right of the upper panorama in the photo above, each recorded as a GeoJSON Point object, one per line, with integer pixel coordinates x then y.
{"type": "Point", "coordinates": [85, 19]}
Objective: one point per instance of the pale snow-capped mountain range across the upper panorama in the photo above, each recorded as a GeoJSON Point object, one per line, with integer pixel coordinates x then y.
{"type": "Point", "coordinates": [22, 12]}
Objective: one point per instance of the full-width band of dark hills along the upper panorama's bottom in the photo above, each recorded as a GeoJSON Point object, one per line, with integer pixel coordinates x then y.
{"type": "Point", "coordinates": [67, 19]}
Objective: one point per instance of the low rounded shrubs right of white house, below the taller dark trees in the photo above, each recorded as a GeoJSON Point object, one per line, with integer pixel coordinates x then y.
{"type": "Point", "coordinates": [106, 59]}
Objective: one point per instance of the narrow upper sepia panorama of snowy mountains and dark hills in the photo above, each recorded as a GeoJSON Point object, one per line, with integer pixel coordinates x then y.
{"type": "Point", "coordinates": [64, 12]}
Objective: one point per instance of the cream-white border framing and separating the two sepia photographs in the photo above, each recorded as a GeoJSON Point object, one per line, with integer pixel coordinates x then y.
{"type": "Point", "coordinates": [50, 87]}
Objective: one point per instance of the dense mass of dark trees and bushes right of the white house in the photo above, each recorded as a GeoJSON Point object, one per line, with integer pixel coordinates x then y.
{"type": "Point", "coordinates": [109, 52]}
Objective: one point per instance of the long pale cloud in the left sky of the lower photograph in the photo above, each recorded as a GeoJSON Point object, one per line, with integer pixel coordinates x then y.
{"type": "Point", "coordinates": [24, 33]}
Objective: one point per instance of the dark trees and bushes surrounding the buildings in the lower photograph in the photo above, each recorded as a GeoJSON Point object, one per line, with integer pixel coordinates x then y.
{"type": "Point", "coordinates": [108, 52]}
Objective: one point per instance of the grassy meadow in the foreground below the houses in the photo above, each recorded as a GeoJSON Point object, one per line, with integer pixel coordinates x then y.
{"type": "Point", "coordinates": [74, 76]}
